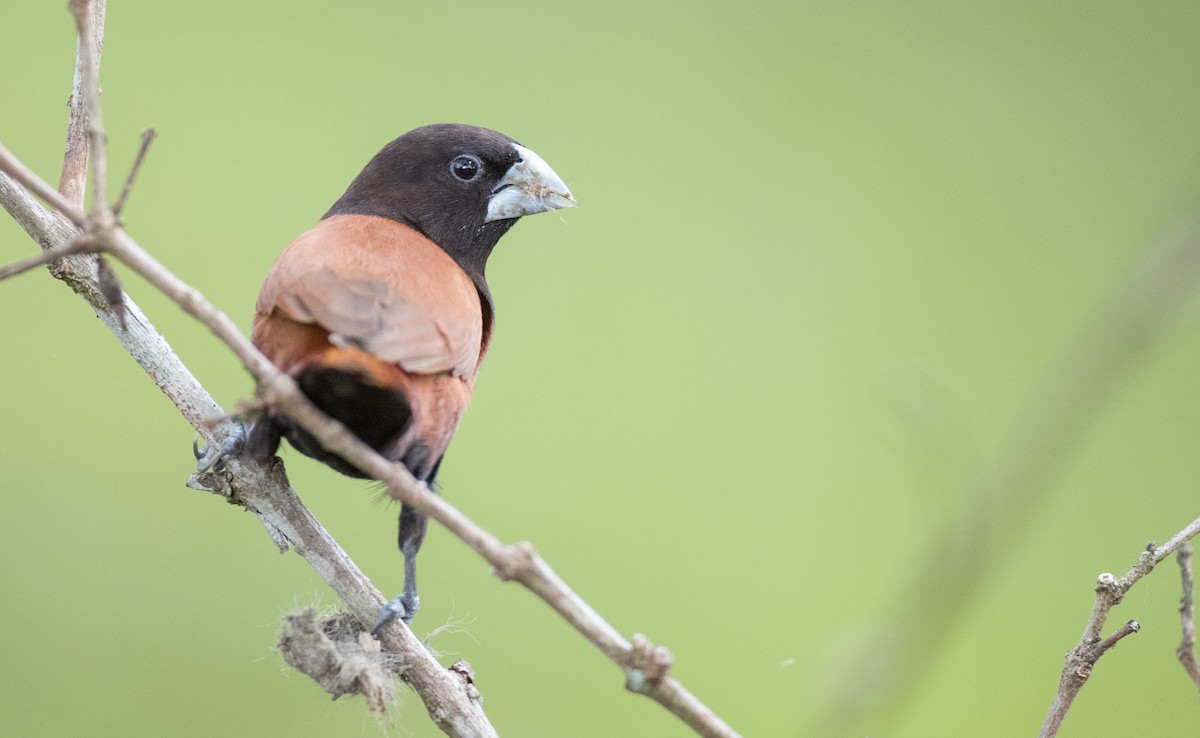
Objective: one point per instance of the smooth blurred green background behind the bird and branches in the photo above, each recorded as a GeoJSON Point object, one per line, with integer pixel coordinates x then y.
{"type": "Point", "coordinates": [824, 257]}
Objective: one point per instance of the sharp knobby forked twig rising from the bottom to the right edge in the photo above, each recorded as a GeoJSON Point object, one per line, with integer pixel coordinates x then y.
{"type": "Point", "coordinates": [1109, 593]}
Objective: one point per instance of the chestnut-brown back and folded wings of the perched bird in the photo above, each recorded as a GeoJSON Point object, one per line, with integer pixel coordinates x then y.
{"type": "Point", "coordinates": [382, 287]}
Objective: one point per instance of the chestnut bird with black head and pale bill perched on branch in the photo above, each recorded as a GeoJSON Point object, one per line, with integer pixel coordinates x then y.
{"type": "Point", "coordinates": [382, 314]}
